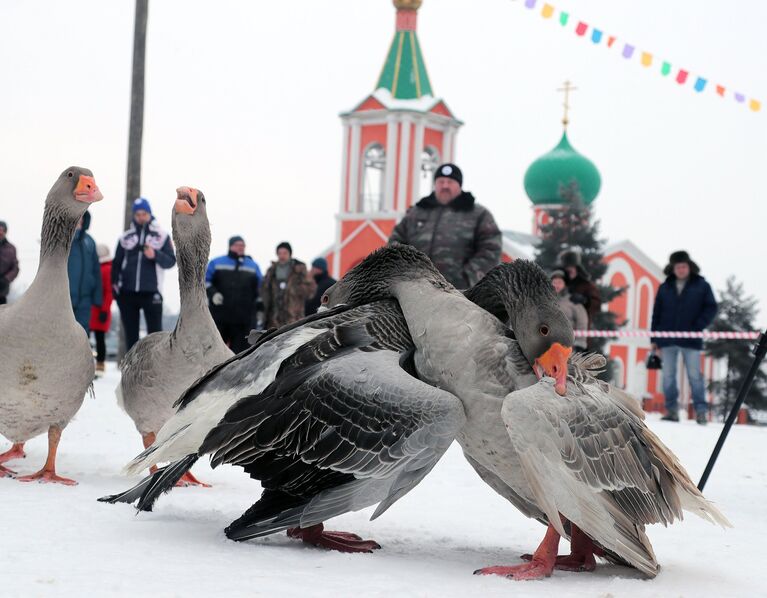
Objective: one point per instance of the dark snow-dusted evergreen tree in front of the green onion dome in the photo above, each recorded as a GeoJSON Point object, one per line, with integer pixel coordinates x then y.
{"type": "Point", "coordinates": [571, 227]}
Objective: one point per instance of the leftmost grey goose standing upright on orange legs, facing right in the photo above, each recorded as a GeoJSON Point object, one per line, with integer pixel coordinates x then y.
{"type": "Point", "coordinates": [46, 363]}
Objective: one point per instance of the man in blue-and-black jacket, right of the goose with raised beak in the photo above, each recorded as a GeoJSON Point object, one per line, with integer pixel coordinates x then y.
{"type": "Point", "coordinates": [232, 283]}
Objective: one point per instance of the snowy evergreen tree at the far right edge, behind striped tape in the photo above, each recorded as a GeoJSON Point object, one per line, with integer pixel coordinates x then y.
{"type": "Point", "coordinates": [736, 312]}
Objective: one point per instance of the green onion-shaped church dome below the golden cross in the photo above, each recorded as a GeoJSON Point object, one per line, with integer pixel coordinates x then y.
{"type": "Point", "coordinates": [559, 168]}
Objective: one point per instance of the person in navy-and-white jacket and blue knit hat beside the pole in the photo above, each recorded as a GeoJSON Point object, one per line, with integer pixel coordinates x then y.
{"type": "Point", "coordinates": [143, 252]}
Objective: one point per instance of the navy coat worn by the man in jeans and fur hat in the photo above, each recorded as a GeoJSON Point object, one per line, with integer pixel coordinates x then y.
{"type": "Point", "coordinates": [694, 309]}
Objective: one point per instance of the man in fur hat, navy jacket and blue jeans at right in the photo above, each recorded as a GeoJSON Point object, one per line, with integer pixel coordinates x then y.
{"type": "Point", "coordinates": [684, 301]}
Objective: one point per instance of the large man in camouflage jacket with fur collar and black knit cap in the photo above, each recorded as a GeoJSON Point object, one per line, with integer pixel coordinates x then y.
{"type": "Point", "coordinates": [459, 235]}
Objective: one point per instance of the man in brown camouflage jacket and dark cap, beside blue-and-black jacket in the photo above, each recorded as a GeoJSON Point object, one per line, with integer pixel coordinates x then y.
{"type": "Point", "coordinates": [287, 286]}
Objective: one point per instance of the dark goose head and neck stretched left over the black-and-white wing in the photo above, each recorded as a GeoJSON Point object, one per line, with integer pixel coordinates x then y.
{"type": "Point", "coordinates": [376, 276]}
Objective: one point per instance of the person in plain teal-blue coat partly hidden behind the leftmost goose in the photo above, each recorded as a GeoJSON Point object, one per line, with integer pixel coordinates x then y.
{"type": "Point", "coordinates": [84, 274]}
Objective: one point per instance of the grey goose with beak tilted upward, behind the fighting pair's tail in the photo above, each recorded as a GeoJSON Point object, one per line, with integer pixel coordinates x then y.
{"type": "Point", "coordinates": [161, 365]}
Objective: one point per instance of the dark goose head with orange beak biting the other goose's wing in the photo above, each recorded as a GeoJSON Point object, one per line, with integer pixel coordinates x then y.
{"type": "Point", "coordinates": [520, 294]}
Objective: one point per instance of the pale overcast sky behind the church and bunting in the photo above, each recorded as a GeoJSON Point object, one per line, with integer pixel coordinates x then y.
{"type": "Point", "coordinates": [242, 101]}
